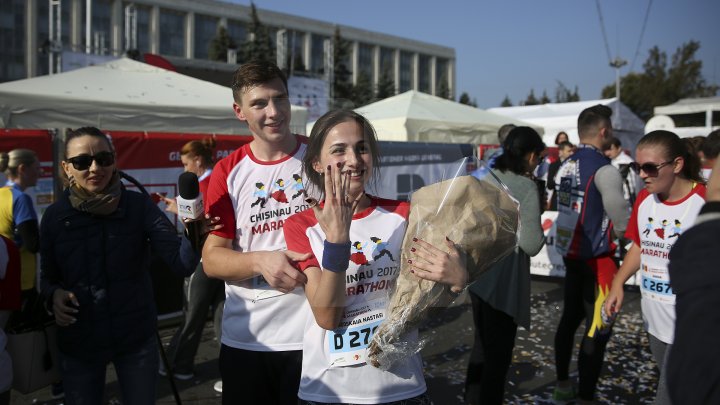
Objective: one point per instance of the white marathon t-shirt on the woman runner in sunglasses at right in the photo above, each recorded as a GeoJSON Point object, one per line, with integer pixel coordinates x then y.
{"type": "Point", "coordinates": [655, 226]}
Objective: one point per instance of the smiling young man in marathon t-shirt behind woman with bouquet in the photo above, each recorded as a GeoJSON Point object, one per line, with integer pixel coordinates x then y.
{"type": "Point", "coordinates": [265, 308]}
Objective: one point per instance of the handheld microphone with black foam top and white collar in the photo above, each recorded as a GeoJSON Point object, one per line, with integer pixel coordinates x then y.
{"type": "Point", "coordinates": [191, 210]}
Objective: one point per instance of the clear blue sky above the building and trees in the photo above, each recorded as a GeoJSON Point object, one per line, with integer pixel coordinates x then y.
{"type": "Point", "coordinates": [511, 46]}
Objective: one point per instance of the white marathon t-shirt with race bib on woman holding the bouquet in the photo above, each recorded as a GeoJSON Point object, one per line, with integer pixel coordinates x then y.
{"type": "Point", "coordinates": [334, 368]}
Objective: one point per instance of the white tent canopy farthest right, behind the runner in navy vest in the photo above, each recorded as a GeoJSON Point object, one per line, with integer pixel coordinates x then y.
{"type": "Point", "coordinates": [627, 126]}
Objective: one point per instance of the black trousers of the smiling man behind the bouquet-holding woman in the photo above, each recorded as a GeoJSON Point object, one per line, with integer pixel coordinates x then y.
{"type": "Point", "coordinates": [262, 378]}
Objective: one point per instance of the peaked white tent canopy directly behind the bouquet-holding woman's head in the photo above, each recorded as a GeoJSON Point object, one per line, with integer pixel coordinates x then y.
{"type": "Point", "coordinates": [419, 117]}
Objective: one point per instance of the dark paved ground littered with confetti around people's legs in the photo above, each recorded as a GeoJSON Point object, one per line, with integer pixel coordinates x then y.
{"type": "Point", "coordinates": [630, 375]}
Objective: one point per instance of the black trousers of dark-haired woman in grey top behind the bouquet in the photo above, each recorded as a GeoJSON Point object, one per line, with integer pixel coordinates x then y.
{"type": "Point", "coordinates": [491, 354]}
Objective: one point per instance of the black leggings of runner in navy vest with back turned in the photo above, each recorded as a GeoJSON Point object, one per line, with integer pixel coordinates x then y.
{"type": "Point", "coordinates": [579, 303]}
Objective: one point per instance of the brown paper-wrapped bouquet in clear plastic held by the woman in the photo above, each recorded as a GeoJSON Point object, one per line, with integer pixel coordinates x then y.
{"type": "Point", "coordinates": [478, 214]}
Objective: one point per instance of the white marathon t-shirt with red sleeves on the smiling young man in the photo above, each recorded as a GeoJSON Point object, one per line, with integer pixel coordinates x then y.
{"type": "Point", "coordinates": [253, 198]}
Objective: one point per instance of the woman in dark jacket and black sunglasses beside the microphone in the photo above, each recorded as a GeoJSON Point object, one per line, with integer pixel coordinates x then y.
{"type": "Point", "coordinates": [95, 247]}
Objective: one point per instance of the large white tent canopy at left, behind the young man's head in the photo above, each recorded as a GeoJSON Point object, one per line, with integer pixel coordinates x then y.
{"type": "Point", "coordinates": [124, 95]}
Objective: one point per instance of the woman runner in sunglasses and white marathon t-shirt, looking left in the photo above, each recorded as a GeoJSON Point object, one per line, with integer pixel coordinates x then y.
{"type": "Point", "coordinates": [671, 200]}
